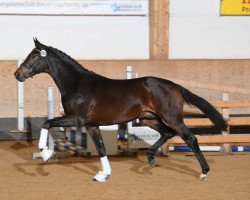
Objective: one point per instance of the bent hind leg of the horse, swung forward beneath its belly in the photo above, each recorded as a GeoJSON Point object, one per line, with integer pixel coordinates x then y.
{"type": "Point", "coordinates": [166, 133]}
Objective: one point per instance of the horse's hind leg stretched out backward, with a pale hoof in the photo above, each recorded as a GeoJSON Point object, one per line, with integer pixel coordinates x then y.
{"type": "Point", "coordinates": [192, 142]}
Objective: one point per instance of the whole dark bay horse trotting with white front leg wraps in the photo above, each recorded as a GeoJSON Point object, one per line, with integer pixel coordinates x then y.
{"type": "Point", "coordinates": [91, 100]}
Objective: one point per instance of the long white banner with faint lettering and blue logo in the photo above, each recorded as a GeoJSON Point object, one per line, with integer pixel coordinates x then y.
{"type": "Point", "coordinates": [74, 7]}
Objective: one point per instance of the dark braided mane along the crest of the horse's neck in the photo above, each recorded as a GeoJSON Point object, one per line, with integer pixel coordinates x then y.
{"type": "Point", "coordinates": [65, 57]}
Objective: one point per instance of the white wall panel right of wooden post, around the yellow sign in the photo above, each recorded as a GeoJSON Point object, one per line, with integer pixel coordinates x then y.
{"type": "Point", "coordinates": [198, 31]}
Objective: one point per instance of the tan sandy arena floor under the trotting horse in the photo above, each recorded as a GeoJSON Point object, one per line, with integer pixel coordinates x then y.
{"type": "Point", "coordinates": [175, 177]}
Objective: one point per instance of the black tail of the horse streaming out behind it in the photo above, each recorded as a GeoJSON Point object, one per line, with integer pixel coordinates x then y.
{"type": "Point", "coordinates": [205, 107]}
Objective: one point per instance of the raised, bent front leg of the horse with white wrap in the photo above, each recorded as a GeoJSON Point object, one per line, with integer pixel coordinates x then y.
{"type": "Point", "coordinates": [64, 121]}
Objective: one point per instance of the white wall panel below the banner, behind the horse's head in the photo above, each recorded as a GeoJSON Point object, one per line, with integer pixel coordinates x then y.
{"type": "Point", "coordinates": [82, 37]}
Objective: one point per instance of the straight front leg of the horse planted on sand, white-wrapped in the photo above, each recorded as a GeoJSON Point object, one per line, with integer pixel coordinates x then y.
{"type": "Point", "coordinates": [95, 134]}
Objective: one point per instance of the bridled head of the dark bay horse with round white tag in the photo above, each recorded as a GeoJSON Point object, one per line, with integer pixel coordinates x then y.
{"type": "Point", "coordinates": [35, 63]}
